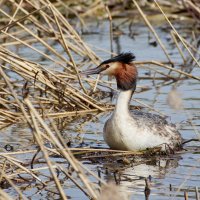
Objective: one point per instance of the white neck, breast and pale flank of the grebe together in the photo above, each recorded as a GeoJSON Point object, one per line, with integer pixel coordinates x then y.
{"type": "Point", "coordinates": [122, 132]}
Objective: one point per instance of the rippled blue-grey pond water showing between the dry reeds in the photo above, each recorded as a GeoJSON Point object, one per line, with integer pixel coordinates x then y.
{"type": "Point", "coordinates": [181, 171]}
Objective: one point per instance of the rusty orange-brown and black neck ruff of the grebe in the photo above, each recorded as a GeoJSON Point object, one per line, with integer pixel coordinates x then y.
{"type": "Point", "coordinates": [126, 76]}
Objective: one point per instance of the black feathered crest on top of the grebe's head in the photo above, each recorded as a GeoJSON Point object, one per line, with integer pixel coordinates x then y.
{"type": "Point", "coordinates": [122, 57]}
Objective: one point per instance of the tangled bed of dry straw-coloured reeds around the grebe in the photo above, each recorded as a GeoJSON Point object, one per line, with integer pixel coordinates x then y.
{"type": "Point", "coordinates": [41, 95]}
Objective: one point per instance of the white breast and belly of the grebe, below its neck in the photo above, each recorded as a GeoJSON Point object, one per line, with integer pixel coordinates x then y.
{"type": "Point", "coordinates": [123, 134]}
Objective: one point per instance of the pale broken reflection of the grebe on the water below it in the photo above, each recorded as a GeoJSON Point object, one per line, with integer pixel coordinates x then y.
{"type": "Point", "coordinates": [133, 176]}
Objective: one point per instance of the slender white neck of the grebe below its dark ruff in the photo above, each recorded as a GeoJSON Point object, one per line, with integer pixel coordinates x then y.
{"type": "Point", "coordinates": [123, 100]}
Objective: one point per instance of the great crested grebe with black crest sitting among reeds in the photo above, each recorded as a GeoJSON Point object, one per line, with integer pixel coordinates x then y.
{"type": "Point", "coordinates": [137, 130]}
